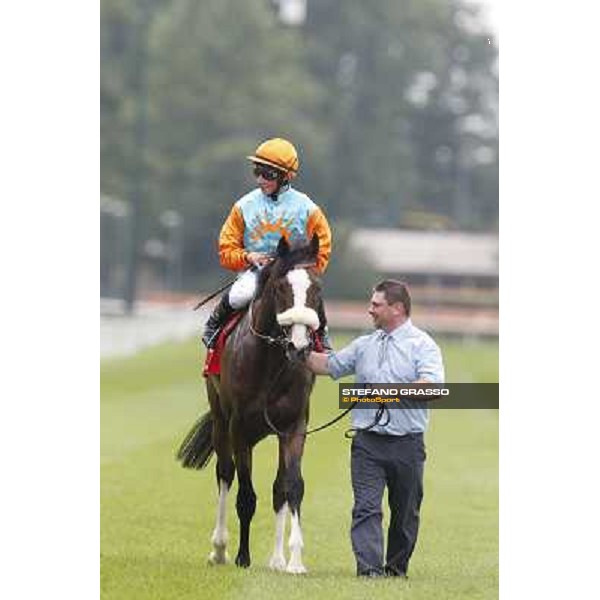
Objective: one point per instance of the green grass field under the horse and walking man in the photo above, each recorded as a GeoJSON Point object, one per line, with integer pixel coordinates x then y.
{"type": "Point", "coordinates": [157, 518]}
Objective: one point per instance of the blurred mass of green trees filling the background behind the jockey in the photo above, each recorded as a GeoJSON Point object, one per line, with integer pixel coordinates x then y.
{"type": "Point", "coordinates": [392, 105]}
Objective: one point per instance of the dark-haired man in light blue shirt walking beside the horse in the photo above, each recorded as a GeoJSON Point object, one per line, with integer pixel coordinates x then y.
{"type": "Point", "coordinates": [392, 453]}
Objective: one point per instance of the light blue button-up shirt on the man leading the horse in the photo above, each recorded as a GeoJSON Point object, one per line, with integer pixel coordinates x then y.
{"type": "Point", "coordinates": [402, 356]}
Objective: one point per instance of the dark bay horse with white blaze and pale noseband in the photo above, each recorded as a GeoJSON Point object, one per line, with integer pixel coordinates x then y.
{"type": "Point", "coordinates": [262, 389]}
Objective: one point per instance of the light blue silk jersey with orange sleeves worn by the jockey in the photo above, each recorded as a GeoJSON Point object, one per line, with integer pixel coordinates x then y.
{"type": "Point", "coordinates": [257, 222]}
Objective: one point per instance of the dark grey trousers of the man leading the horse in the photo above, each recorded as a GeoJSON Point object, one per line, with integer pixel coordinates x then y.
{"type": "Point", "coordinates": [376, 461]}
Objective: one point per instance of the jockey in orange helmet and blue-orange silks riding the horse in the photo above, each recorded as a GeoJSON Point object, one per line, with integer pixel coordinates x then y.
{"type": "Point", "coordinates": [255, 225]}
